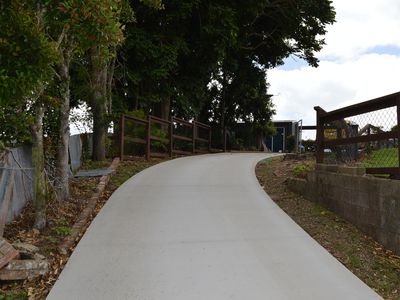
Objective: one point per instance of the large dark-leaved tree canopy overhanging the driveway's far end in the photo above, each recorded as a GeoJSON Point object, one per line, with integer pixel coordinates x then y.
{"type": "Point", "coordinates": [174, 56]}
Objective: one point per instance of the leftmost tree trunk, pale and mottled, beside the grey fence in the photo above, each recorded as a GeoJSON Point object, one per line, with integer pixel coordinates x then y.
{"type": "Point", "coordinates": [39, 197]}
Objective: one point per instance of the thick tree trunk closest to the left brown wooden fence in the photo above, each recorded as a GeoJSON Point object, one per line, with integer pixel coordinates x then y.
{"type": "Point", "coordinates": [98, 102]}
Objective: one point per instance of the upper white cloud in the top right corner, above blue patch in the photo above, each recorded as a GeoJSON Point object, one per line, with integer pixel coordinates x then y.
{"type": "Point", "coordinates": [362, 25]}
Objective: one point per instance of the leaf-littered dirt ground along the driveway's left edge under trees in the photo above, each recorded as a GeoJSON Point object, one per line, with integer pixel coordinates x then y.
{"type": "Point", "coordinates": [60, 218]}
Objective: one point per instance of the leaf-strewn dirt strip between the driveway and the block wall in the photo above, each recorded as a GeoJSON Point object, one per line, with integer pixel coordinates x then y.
{"type": "Point", "coordinates": [377, 267]}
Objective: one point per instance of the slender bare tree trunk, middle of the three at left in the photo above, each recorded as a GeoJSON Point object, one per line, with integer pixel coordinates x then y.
{"type": "Point", "coordinates": [61, 186]}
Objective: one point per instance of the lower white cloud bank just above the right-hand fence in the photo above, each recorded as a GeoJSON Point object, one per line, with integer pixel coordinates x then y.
{"type": "Point", "coordinates": [333, 85]}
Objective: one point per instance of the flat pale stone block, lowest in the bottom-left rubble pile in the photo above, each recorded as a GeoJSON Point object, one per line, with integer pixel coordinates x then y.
{"type": "Point", "coordinates": [24, 269]}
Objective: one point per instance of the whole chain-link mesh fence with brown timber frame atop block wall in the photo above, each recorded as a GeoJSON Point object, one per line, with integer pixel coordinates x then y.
{"type": "Point", "coordinates": [365, 134]}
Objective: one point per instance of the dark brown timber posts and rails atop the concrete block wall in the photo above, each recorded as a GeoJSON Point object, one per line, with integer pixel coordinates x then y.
{"type": "Point", "coordinates": [327, 120]}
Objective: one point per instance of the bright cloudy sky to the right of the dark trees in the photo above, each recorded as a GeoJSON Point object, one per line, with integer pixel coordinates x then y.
{"type": "Point", "coordinates": [361, 61]}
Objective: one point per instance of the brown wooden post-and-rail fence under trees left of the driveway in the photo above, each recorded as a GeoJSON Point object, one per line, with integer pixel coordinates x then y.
{"type": "Point", "coordinates": [194, 139]}
